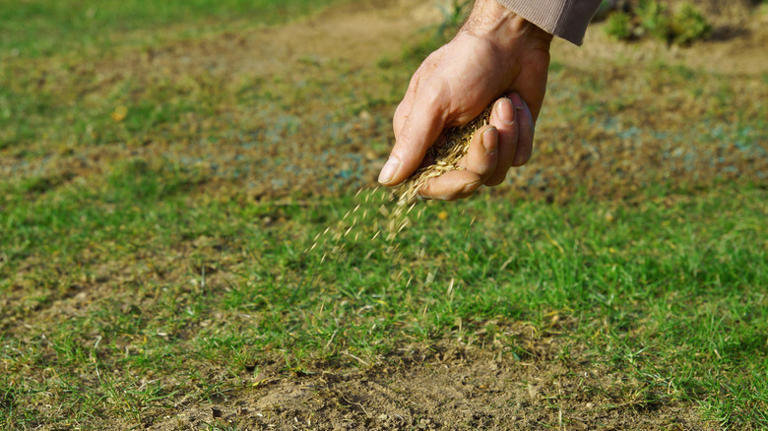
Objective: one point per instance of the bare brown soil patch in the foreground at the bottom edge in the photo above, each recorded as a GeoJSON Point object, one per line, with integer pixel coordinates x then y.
{"type": "Point", "coordinates": [448, 385]}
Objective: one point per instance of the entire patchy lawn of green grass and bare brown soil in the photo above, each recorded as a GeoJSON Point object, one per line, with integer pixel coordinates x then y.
{"type": "Point", "coordinates": [163, 178]}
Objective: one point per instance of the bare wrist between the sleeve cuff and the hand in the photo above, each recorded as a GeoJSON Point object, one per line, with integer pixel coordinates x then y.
{"type": "Point", "coordinates": [491, 20]}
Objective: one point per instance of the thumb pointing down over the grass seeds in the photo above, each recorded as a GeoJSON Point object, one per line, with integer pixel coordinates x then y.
{"type": "Point", "coordinates": [420, 130]}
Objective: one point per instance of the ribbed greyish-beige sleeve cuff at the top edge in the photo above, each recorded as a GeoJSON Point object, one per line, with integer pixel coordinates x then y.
{"type": "Point", "coordinates": [565, 18]}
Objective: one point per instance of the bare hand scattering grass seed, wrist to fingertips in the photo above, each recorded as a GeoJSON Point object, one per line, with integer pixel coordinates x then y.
{"type": "Point", "coordinates": [496, 52]}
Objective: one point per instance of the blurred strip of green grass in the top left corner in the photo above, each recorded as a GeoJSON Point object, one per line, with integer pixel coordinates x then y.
{"type": "Point", "coordinates": [41, 28]}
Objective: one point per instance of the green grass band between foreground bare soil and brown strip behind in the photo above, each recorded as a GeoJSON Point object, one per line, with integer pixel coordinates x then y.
{"type": "Point", "coordinates": [669, 291]}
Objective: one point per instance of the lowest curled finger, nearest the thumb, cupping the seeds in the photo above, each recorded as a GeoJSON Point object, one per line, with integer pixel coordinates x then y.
{"type": "Point", "coordinates": [479, 164]}
